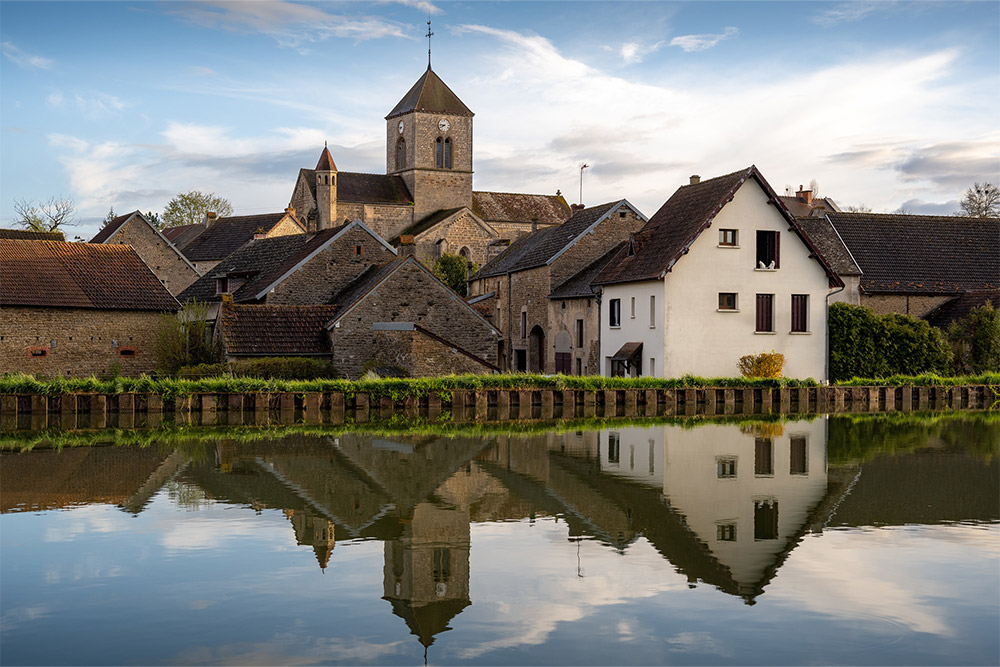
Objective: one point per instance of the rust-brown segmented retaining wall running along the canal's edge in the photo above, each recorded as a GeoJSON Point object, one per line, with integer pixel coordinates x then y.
{"type": "Point", "coordinates": [130, 410]}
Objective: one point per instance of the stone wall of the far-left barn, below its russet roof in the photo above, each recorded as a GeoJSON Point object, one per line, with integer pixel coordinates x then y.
{"type": "Point", "coordinates": [77, 341]}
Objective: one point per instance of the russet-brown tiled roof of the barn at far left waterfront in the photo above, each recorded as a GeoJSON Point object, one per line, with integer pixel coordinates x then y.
{"type": "Point", "coordinates": [78, 275]}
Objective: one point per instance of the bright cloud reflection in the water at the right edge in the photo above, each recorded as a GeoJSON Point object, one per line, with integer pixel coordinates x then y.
{"type": "Point", "coordinates": [889, 577]}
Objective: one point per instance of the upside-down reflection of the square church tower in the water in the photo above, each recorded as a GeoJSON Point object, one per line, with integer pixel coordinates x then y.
{"type": "Point", "coordinates": [426, 574]}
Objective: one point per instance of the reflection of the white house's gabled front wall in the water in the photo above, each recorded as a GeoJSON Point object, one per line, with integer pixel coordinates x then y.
{"type": "Point", "coordinates": [746, 492]}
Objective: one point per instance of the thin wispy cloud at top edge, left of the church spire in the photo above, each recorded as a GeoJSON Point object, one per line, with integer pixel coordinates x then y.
{"type": "Point", "coordinates": [290, 24]}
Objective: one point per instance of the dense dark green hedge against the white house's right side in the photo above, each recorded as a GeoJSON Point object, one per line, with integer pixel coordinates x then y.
{"type": "Point", "coordinates": [863, 344]}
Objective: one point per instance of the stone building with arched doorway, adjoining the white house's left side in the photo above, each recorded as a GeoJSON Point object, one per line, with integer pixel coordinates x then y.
{"type": "Point", "coordinates": [549, 318]}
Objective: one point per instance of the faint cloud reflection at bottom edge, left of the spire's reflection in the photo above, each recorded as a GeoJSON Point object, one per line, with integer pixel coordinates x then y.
{"type": "Point", "coordinates": [287, 649]}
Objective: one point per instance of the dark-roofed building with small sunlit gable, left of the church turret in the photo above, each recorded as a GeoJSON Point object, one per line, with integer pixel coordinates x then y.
{"type": "Point", "coordinates": [207, 243]}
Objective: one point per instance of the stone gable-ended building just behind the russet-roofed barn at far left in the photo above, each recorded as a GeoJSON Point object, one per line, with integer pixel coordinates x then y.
{"type": "Point", "coordinates": [160, 255]}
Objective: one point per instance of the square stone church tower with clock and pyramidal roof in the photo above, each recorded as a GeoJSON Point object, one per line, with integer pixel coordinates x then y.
{"type": "Point", "coordinates": [429, 145]}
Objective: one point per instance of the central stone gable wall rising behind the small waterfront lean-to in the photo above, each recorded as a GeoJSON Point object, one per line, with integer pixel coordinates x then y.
{"type": "Point", "coordinates": [411, 294]}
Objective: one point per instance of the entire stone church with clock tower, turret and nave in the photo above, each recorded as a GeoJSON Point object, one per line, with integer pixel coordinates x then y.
{"type": "Point", "coordinates": [425, 198]}
